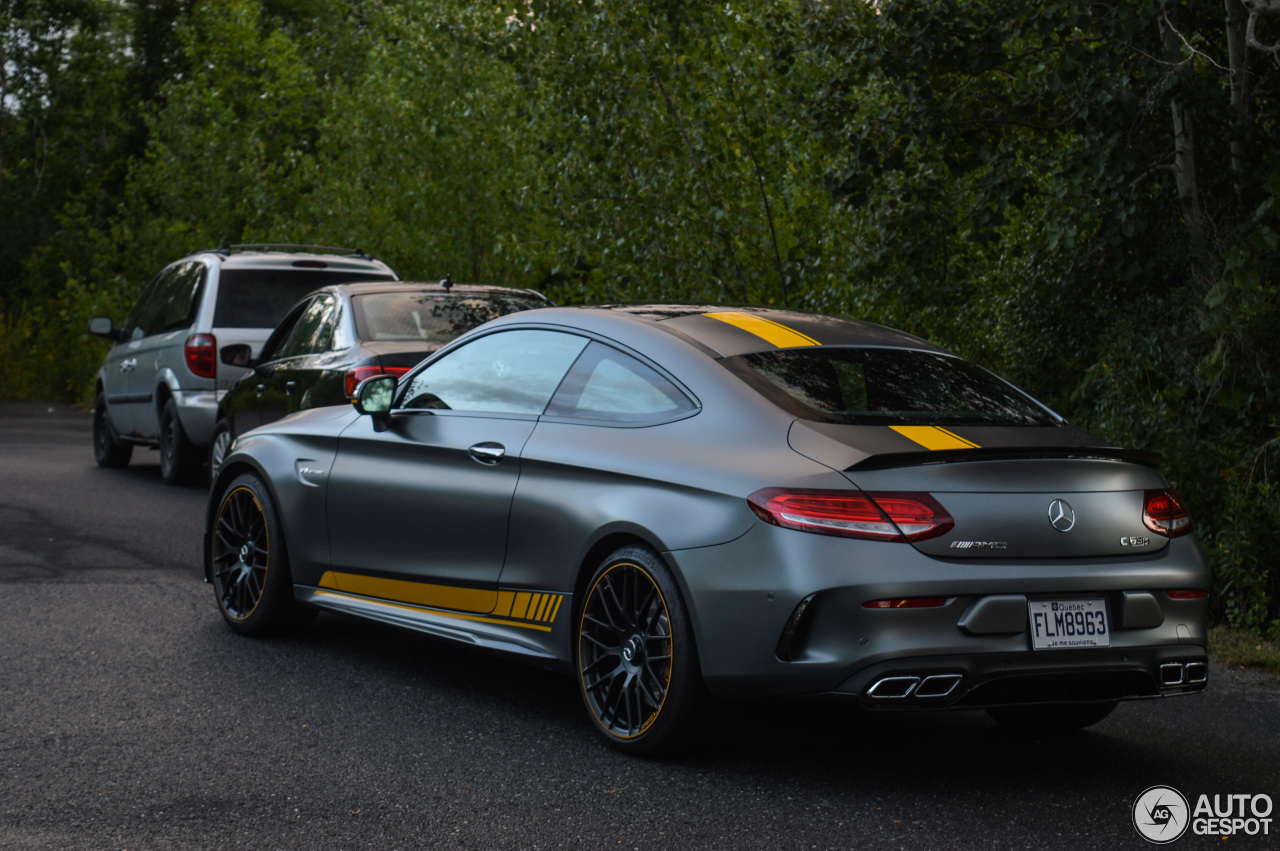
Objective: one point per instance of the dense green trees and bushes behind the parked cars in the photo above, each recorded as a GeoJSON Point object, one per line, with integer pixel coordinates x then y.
{"type": "Point", "coordinates": [1078, 196]}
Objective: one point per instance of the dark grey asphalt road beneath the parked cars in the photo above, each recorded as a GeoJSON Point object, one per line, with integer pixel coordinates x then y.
{"type": "Point", "coordinates": [132, 719]}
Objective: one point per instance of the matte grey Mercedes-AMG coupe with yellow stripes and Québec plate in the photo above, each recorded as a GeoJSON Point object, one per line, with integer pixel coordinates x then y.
{"type": "Point", "coordinates": [682, 504]}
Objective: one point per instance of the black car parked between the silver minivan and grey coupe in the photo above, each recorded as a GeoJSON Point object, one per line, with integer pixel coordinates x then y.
{"type": "Point", "coordinates": [342, 335]}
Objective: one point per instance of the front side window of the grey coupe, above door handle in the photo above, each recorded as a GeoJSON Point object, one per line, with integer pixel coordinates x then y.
{"type": "Point", "coordinates": [505, 373]}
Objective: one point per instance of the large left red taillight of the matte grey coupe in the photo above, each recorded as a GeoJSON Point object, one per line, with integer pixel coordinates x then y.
{"type": "Point", "coordinates": [853, 514]}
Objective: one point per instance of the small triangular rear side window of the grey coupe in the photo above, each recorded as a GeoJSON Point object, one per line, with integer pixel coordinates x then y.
{"type": "Point", "coordinates": [607, 386]}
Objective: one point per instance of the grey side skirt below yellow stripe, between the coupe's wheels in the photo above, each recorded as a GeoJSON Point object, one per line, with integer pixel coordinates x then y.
{"type": "Point", "coordinates": [493, 634]}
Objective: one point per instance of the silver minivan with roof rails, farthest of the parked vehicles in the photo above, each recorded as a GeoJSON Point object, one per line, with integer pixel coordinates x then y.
{"type": "Point", "coordinates": [162, 382]}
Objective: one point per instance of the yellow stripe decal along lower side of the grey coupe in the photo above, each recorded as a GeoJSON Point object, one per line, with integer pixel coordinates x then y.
{"type": "Point", "coordinates": [518, 606]}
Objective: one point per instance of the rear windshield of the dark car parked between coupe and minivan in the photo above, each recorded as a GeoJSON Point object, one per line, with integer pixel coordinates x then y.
{"type": "Point", "coordinates": [433, 318]}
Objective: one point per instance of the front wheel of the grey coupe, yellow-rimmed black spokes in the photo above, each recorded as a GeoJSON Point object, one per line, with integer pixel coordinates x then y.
{"type": "Point", "coordinates": [252, 569]}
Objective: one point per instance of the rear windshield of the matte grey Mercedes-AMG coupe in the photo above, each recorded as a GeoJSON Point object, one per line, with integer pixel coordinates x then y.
{"type": "Point", "coordinates": [885, 387]}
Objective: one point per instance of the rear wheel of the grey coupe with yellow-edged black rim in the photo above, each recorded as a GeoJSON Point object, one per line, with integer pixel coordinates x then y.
{"type": "Point", "coordinates": [636, 656]}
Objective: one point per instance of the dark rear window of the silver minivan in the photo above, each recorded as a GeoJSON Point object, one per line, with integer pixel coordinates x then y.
{"type": "Point", "coordinates": [262, 298]}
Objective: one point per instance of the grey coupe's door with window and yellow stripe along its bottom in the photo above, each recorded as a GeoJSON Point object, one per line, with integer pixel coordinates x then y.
{"type": "Point", "coordinates": [418, 514]}
